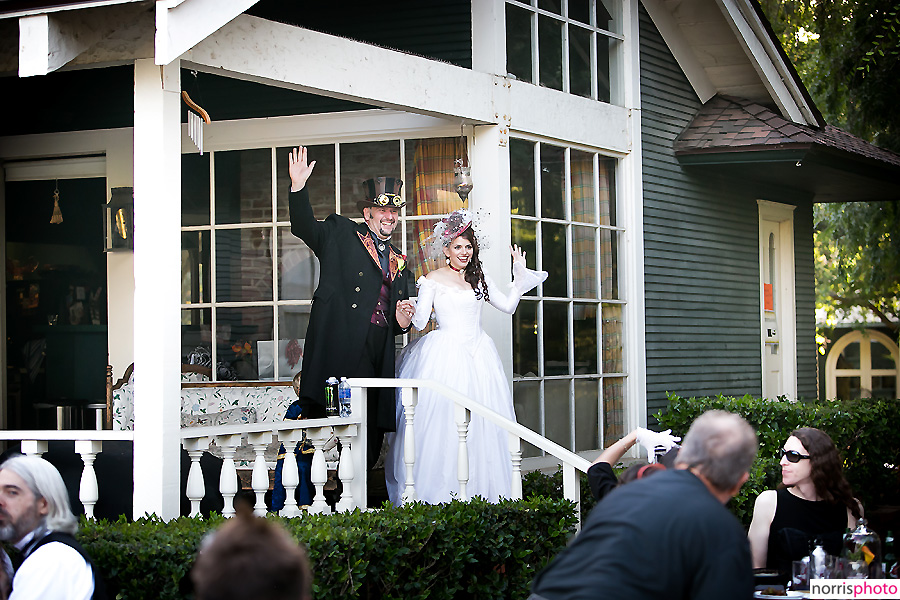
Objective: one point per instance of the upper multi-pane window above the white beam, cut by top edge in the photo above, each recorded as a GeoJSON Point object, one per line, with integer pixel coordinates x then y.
{"type": "Point", "coordinates": [567, 45]}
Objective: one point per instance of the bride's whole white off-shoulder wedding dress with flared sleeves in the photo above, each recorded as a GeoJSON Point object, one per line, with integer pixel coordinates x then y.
{"type": "Point", "coordinates": [462, 356]}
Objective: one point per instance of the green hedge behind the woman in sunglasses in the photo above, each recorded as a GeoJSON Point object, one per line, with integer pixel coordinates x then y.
{"type": "Point", "coordinates": [865, 432]}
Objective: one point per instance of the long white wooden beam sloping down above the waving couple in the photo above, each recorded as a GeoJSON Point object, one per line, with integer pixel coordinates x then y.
{"type": "Point", "coordinates": [295, 58]}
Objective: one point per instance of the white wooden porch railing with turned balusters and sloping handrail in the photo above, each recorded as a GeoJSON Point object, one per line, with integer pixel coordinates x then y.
{"type": "Point", "coordinates": [351, 468]}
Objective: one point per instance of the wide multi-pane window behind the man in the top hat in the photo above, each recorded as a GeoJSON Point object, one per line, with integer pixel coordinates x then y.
{"type": "Point", "coordinates": [247, 282]}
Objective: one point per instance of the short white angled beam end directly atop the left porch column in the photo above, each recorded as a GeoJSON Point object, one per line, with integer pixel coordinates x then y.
{"type": "Point", "coordinates": [181, 24]}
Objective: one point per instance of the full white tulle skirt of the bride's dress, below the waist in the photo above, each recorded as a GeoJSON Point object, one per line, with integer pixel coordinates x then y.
{"type": "Point", "coordinates": [474, 370]}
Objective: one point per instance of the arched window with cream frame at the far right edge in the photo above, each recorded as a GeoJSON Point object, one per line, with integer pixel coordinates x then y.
{"type": "Point", "coordinates": [862, 364]}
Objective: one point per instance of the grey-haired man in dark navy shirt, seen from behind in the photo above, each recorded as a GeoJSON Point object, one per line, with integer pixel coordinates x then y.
{"type": "Point", "coordinates": [669, 536]}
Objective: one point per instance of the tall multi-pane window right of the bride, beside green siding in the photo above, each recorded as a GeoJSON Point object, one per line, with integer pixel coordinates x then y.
{"type": "Point", "coordinates": [568, 371]}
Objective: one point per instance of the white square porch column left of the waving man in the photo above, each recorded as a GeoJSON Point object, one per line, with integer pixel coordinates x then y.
{"type": "Point", "coordinates": [157, 266]}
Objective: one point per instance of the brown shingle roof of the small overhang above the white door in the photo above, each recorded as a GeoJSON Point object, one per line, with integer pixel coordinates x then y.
{"type": "Point", "coordinates": [726, 123]}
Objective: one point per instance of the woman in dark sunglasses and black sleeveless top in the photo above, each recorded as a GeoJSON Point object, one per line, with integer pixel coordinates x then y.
{"type": "Point", "coordinates": [814, 501]}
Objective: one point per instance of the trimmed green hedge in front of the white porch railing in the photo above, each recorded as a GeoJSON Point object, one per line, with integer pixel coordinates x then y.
{"type": "Point", "coordinates": [458, 550]}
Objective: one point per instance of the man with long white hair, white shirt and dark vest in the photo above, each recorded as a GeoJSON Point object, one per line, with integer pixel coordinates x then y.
{"type": "Point", "coordinates": [35, 517]}
